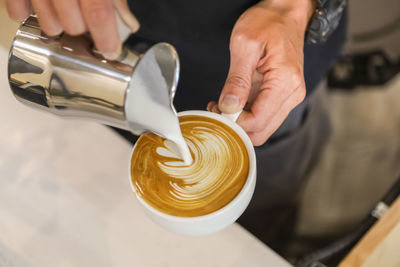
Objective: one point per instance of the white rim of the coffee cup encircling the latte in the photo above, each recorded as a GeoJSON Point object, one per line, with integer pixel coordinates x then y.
{"type": "Point", "coordinates": [247, 186]}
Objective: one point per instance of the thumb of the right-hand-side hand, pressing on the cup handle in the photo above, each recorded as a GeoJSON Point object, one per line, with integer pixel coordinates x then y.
{"type": "Point", "coordinates": [244, 58]}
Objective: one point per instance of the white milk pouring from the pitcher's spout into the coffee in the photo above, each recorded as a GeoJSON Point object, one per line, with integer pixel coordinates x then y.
{"type": "Point", "coordinates": [149, 107]}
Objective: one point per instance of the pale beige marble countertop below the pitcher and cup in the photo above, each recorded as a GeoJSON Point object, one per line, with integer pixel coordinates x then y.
{"type": "Point", "coordinates": [65, 200]}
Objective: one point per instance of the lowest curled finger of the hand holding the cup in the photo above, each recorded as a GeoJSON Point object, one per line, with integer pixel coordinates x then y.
{"type": "Point", "coordinates": [260, 137]}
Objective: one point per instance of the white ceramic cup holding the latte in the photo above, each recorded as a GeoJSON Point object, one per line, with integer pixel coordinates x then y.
{"type": "Point", "coordinates": [217, 220]}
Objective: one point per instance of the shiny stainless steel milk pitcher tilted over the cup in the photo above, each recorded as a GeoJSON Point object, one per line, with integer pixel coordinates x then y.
{"type": "Point", "coordinates": [65, 75]}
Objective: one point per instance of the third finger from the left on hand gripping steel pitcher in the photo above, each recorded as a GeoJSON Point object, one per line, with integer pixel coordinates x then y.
{"type": "Point", "coordinates": [70, 16]}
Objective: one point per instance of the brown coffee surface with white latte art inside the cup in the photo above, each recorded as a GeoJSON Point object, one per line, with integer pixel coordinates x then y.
{"type": "Point", "coordinates": [219, 170]}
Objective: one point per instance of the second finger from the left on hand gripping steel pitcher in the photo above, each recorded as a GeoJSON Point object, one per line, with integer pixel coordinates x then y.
{"type": "Point", "coordinates": [47, 17]}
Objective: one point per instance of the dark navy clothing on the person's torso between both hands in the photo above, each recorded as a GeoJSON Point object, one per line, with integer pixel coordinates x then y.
{"type": "Point", "coordinates": [200, 31]}
